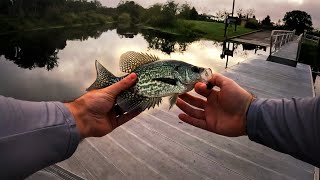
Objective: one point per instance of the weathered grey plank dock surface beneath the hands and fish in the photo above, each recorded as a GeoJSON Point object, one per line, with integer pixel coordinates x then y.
{"type": "Point", "coordinates": [157, 145]}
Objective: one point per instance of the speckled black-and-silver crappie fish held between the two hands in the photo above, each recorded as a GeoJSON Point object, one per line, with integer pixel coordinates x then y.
{"type": "Point", "coordinates": [156, 79]}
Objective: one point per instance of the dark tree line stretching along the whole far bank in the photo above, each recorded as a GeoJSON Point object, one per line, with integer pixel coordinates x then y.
{"type": "Point", "coordinates": [31, 12]}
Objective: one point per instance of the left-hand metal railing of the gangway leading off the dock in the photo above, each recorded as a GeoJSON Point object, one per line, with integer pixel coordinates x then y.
{"type": "Point", "coordinates": [279, 38]}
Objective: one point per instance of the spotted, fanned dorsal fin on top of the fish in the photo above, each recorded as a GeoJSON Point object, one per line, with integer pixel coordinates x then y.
{"type": "Point", "coordinates": [130, 60]}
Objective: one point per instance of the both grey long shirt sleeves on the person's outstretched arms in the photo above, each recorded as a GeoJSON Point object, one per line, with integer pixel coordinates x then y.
{"type": "Point", "coordinates": [34, 135]}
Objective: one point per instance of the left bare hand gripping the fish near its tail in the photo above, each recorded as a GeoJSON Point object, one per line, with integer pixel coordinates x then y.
{"type": "Point", "coordinates": [94, 111]}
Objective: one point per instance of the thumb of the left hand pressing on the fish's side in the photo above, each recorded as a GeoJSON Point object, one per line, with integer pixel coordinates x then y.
{"type": "Point", "coordinates": [123, 84]}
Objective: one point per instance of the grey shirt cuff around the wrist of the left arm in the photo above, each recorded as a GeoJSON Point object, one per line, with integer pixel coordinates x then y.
{"type": "Point", "coordinates": [74, 133]}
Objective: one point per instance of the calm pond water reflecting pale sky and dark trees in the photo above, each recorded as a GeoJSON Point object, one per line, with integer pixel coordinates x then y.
{"type": "Point", "coordinates": [25, 59]}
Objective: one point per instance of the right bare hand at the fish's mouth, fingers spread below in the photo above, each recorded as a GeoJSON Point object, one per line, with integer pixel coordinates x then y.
{"type": "Point", "coordinates": [222, 112]}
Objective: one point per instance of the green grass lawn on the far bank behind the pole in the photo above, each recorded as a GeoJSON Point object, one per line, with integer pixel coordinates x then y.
{"type": "Point", "coordinates": [215, 31]}
